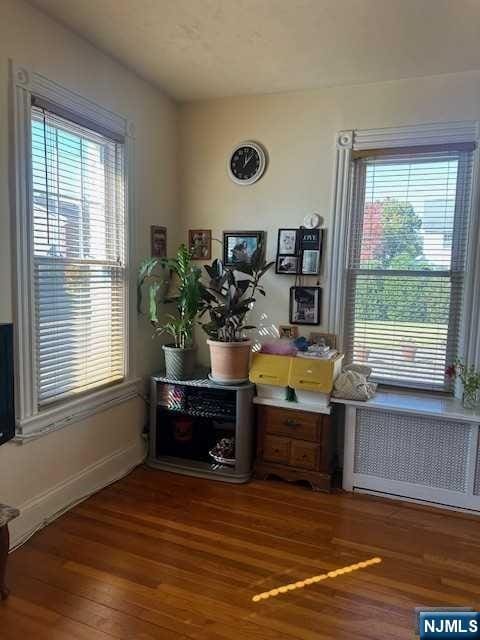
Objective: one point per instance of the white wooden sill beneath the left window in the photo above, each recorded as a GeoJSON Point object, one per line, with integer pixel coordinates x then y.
{"type": "Point", "coordinates": [70, 412]}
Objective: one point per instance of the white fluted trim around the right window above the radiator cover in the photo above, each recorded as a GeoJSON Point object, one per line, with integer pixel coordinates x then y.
{"type": "Point", "coordinates": [420, 136]}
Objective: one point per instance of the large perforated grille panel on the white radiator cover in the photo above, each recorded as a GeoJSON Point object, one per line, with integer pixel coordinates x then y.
{"type": "Point", "coordinates": [414, 449]}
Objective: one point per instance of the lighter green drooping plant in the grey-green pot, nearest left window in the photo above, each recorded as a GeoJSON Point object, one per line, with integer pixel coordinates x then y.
{"type": "Point", "coordinates": [180, 353]}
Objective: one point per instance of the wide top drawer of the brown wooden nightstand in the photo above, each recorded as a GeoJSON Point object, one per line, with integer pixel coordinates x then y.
{"type": "Point", "coordinates": [293, 424]}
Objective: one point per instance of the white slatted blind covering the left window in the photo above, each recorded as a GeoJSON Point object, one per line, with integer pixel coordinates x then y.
{"type": "Point", "coordinates": [78, 257]}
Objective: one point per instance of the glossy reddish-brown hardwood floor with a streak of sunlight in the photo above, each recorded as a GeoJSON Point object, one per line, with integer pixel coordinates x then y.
{"type": "Point", "coordinates": [166, 556]}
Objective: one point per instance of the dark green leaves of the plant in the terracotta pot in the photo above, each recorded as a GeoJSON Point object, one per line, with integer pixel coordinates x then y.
{"type": "Point", "coordinates": [230, 295]}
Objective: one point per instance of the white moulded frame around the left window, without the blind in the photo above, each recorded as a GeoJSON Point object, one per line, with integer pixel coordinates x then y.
{"type": "Point", "coordinates": [30, 419]}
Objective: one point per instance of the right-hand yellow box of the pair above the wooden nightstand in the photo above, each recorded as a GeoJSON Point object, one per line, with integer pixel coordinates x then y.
{"type": "Point", "coordinates": [310, 374]}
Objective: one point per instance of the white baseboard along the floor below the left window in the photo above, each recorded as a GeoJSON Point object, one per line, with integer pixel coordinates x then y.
{"type": "Point", "coordinates": [45, 507]}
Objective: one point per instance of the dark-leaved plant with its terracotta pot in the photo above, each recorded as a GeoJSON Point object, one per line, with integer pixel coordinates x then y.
{"type": "Point", "coordinates": [227, 299]}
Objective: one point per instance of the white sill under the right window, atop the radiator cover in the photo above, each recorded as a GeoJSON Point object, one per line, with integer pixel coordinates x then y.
{"type": "Point", "coordinates": [416, 403]}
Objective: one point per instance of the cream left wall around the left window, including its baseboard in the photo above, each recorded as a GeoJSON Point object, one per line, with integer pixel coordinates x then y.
{"type": "Point", "coordinates": [43, 475]}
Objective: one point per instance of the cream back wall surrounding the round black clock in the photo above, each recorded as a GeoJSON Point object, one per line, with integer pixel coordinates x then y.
{"type": "Point", "coordinates": [298, 130]}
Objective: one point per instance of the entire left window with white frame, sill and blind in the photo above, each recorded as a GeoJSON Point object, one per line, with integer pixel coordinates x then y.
{"type": "Point", "coordinates": [74, 306]}
